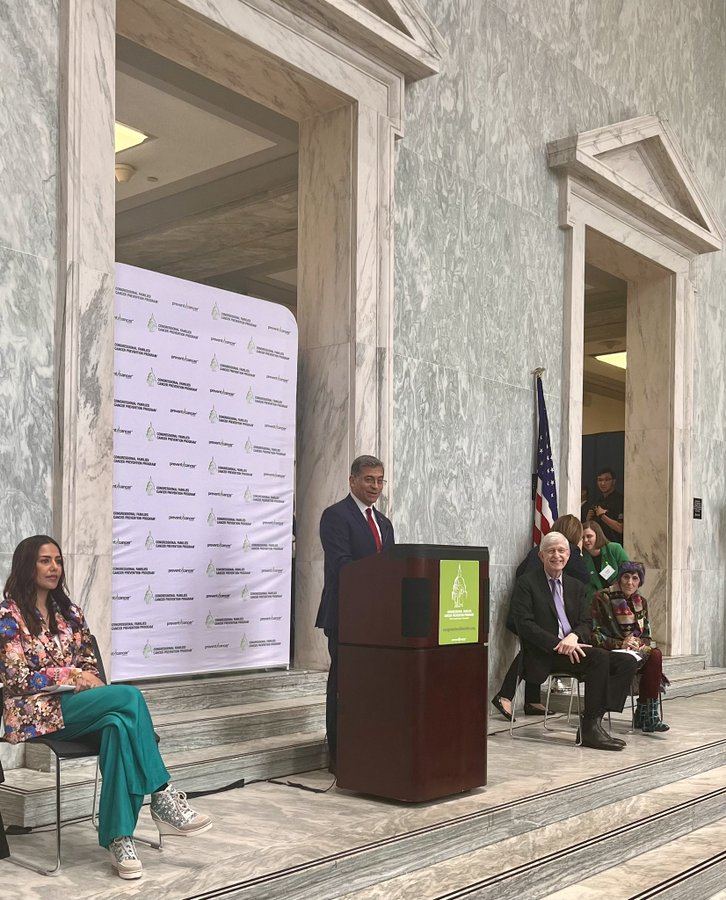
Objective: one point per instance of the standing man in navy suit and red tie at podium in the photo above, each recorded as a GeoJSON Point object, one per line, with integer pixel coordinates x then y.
{"type": "Point", "coordinates": [350, 529]}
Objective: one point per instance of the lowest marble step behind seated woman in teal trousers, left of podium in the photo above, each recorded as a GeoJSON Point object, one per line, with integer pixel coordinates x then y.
{"type": "Point", "coordinates": [27, 797]}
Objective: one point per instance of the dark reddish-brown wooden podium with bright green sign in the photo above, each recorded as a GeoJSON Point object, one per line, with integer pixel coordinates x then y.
{"type": "Point", "coordinates": [412, 672]}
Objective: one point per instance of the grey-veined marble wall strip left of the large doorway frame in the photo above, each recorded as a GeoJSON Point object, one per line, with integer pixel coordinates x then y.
{"type": "Point", "coordinates": [28, 239]}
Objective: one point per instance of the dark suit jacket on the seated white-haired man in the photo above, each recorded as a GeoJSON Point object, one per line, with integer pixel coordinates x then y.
{"type": "Point", "coordinates": [533, 610]}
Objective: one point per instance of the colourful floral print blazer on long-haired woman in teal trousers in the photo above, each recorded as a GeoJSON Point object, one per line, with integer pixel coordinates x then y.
{"type": "Point", "coordinates": [29, 663]}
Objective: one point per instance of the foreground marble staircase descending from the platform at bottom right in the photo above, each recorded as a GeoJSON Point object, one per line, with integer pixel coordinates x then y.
{"type": "Point", "coordinates": [529, 847]}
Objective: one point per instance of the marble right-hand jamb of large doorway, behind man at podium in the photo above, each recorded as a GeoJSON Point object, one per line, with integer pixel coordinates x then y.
{"type": "Point", "coordinates": [343, 289]}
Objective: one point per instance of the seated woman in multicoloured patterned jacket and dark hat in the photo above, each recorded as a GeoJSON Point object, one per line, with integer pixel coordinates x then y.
{"type": "Point", "coordinates": [620, 623]}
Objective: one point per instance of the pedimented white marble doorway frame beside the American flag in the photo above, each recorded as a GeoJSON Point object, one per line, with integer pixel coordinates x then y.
{"type": "Point", "coordinates": [633, 208]}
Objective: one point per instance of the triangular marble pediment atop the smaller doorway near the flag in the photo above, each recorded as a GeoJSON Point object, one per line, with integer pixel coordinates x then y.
{"type": "Point", "coordinates": [641, 165]}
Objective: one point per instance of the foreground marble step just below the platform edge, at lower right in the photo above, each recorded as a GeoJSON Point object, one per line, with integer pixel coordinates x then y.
{"type": "Point", "coordinates": [561, 853]}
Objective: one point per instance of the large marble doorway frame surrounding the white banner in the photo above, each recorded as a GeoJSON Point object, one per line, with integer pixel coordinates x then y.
{"type": "Point", "coordinates": [337, 71]}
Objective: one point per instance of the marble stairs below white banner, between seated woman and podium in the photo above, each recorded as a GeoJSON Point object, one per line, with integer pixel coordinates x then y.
{"type": "Point", "coordinates": [214, 731]}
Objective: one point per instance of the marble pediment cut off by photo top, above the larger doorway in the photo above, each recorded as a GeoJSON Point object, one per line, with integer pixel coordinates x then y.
{"type": "Point", "coordinates": [396, 32]}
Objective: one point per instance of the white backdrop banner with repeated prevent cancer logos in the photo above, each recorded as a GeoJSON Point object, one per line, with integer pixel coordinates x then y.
{"type": "Point", "coordinates": [204, 437]}
